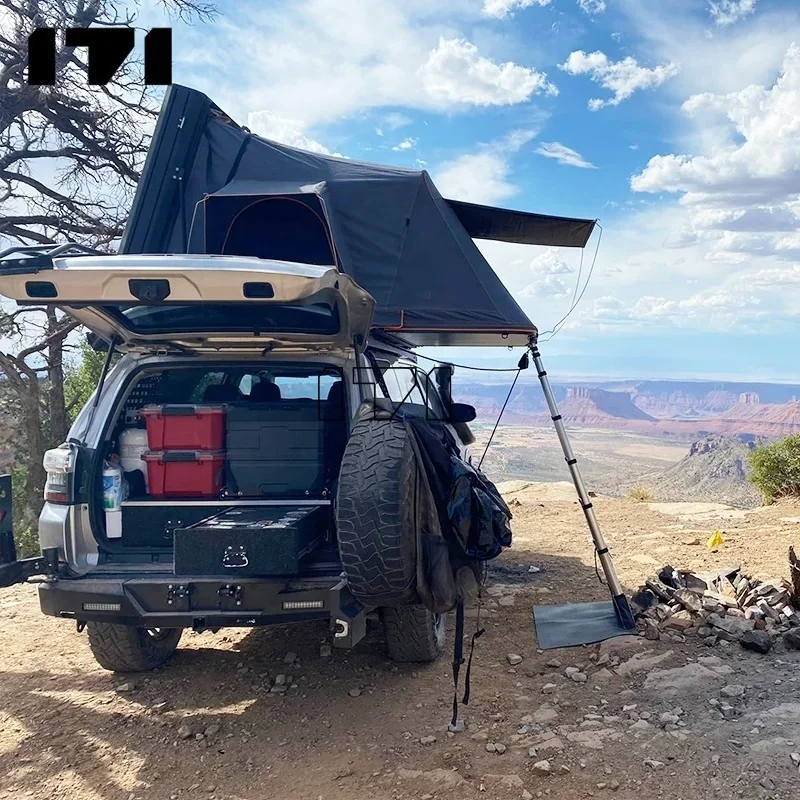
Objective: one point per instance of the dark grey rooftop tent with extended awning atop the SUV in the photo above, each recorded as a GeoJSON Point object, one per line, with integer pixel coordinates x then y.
{"type": "Point", "coordinates": [386, 227]}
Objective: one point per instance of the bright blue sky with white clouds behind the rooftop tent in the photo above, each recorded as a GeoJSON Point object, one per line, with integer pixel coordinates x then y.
{"type": "Point", "coordinates": [676, 123]}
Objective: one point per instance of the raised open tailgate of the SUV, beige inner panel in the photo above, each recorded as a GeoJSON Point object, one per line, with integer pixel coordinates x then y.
{"type": "Point", "coordinates": [198, 302]}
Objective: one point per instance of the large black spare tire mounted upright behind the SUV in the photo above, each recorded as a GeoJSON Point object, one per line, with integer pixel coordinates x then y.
{"type": "Point", "coordinates": [376, 513]}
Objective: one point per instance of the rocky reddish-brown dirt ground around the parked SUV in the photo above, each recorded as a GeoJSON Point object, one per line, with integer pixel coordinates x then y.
{"type": "Point", "coordinates": [354, 725]}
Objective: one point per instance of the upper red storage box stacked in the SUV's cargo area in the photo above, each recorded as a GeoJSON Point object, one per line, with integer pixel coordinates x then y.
{"type": "Point", "coordinates": [185, 427]}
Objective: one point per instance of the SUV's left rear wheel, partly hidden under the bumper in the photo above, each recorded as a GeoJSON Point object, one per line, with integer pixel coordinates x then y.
{"type": "Point", "coordinates": [122, 648]}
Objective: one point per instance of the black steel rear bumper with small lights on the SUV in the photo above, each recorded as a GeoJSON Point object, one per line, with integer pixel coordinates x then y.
{"type": "Point", "coordinates": [169, 602]}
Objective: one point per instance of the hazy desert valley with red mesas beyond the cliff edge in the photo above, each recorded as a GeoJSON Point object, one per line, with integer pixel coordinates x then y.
{"type": "Point", "coordinates": [678, 440]}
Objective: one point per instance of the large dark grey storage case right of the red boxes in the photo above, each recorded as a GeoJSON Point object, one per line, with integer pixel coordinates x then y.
{"type": "Point", "coordinates": [276, 450]}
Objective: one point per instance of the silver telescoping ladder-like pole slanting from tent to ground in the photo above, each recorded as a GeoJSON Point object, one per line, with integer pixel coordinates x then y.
{"type": "Point", "coordinates": [621, 604]}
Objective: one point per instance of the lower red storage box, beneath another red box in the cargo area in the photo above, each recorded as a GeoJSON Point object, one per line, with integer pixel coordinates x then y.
{"type": "Point", "coordinates": [178, 473]}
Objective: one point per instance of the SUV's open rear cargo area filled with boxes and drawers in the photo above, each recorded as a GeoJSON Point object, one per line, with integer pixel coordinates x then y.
{"type": "Point", "coordinates": [226, 470]}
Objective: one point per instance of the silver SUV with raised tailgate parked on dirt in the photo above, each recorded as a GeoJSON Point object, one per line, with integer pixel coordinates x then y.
{"type": "Point", "coordinates": [284, 350]}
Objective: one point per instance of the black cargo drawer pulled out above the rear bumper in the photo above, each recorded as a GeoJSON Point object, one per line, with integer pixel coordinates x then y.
{"type": "Point", "coordinates": [250, 542]}
